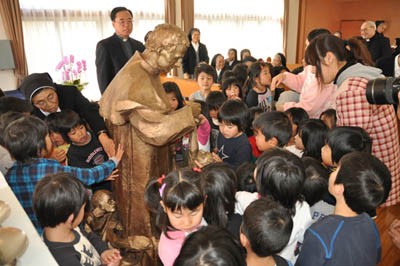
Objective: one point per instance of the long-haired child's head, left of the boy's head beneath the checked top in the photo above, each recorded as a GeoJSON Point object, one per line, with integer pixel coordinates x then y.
{"type": "Point", "coordinates": [311, 137]}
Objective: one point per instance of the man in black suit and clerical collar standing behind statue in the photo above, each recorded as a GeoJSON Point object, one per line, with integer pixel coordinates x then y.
{"type": "Point", "coordinates": [113, 52]}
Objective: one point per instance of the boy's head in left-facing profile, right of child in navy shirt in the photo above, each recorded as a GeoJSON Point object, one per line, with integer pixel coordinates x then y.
{"type": "Point", "coordinates": [272, 129]}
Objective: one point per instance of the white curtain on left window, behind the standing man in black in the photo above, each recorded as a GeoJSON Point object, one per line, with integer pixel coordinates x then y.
{"type": "Point", "coordinates": [54, 29]}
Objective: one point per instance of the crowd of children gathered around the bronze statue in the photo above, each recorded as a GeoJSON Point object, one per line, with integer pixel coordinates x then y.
{"type": "Point", "coordinates": [285, 188]}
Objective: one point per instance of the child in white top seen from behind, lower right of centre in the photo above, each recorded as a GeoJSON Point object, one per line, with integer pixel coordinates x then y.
{"type": "Point", "coordinates": [279, 175]}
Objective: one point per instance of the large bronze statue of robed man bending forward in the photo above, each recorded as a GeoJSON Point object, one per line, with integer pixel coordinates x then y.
{"type": "Point", "coordinates": [139, 117]}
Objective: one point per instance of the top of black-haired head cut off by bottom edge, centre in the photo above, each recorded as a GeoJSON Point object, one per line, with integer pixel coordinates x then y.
{"type": "Point", "coordinates": [211, 245]}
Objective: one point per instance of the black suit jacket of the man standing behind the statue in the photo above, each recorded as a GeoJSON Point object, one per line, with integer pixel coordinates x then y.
{"type": "Point", "coordinates": [110, 58]}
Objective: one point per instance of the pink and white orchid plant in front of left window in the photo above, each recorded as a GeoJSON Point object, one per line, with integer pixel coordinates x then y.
{"type": "Point", "coordinates": [72, 72]}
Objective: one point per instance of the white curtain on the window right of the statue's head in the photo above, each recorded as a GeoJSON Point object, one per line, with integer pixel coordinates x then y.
{"type": "Point", "coordinates": [253, 24]}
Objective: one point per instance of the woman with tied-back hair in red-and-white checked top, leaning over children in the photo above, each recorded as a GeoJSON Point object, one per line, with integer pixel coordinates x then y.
{"type": "Point", "coordinates": [335, 63]}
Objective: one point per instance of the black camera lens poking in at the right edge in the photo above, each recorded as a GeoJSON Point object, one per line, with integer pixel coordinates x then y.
{"type": "Point", "coordinates": [383, 90]}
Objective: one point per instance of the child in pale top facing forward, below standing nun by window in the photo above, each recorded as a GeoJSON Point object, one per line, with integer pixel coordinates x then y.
{"type": "Point", "coordinates": [205, 77]}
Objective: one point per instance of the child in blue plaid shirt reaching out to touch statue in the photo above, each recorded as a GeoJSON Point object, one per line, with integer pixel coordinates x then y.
{"type": "Point", "coordinates": [28, 142]}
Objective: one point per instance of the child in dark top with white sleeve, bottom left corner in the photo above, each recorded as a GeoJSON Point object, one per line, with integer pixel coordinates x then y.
{"type": "Point", "coordinates": [59, 201]}
